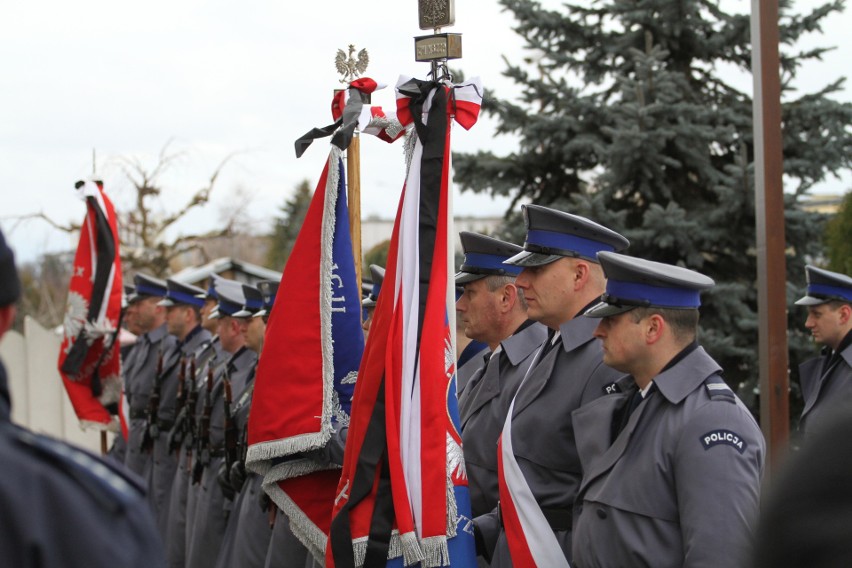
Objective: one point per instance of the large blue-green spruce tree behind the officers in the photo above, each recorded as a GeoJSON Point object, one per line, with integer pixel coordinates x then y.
{"type": "Point", "coordinates": [623, 116]}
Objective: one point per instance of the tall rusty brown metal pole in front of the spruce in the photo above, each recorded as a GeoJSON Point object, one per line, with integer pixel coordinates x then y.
{"type": "Point", "coordinates": [769, 219]}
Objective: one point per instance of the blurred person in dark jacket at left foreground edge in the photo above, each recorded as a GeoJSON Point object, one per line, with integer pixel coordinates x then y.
{"type": "Point", "coordinates": [62, 506]}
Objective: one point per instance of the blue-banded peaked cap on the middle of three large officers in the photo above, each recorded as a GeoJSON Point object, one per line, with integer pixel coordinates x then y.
{"type": "Point", "coordinates": [553, 234]}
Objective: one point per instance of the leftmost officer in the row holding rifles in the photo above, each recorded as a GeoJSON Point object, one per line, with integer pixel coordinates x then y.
{"type": "Point", "coordinates": [145, 314]}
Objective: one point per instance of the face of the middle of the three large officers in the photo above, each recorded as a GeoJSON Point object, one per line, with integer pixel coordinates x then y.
{"type": "Point", "coordinates": [547, 290]}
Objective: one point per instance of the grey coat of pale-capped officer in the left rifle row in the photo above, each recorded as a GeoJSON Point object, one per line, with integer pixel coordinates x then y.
{"type": "Point", "coordinates": [206, 525]}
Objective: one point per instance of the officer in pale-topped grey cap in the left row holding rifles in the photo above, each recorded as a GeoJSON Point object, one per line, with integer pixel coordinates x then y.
{"type": "Point", "coordinates": [206, 524]}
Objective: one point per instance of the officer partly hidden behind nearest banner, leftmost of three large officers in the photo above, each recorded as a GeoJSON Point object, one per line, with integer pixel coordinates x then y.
{"type": "Point", "coordinates": [492, 311]}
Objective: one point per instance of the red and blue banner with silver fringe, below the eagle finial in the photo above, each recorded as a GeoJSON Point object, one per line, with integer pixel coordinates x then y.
{"type": "Point", "coordinates": [306, 373]}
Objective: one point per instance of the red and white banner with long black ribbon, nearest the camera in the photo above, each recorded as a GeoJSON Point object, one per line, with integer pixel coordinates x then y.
{"type": "Point", "coordinates": [403, 489]}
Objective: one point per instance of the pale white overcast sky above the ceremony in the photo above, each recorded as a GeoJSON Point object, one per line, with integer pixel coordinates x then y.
{"type": "Point", "coordinates": [218, 78]}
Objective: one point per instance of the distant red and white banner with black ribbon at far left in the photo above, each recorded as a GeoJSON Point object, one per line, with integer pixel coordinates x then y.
{"type": "Point", "coordinates": [89, 360]}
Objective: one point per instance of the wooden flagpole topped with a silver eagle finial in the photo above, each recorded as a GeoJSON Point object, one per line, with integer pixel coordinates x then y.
{"type": "Point", "coordinates": [350, 67]}
